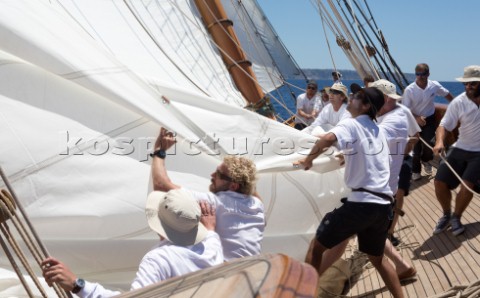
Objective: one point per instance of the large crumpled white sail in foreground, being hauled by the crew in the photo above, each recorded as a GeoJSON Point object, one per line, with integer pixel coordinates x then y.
{"type": "Point", "coordinates": [78, 119]}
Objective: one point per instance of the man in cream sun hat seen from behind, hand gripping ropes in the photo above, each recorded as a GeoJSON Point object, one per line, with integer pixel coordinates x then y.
{"type": "Point", "coordinates": [188, 243]}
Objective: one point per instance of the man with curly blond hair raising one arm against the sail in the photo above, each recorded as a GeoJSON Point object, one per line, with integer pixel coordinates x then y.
{"type": "Point", "coordinates": [240, 212]}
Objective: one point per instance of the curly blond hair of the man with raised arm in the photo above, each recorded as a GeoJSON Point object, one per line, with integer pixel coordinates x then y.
{"type": "Point", "coordinates": [242, 171]}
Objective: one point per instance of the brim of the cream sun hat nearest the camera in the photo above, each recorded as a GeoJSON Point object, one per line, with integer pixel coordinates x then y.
{"type": "Point", "coordinates": [191, 237]}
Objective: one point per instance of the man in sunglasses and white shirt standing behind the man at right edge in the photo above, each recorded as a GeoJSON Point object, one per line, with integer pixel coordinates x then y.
{"type": "Point", "coordinates": [419, 97]}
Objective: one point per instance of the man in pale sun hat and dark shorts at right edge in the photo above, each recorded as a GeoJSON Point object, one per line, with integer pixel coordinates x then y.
{"type": "Point", "coordinates": [463, 156]}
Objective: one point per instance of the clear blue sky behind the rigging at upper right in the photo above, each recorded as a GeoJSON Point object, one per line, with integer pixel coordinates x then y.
{"type": "Point", "coordinates": [441, 33]}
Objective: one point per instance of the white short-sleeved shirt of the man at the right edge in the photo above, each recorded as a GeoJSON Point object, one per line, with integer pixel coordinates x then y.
{"type": "Point", "coordinates": [465, 111]}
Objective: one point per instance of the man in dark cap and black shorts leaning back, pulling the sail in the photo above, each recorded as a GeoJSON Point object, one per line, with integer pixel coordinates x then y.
{"type": "Point", "coordinates": [367, 212]}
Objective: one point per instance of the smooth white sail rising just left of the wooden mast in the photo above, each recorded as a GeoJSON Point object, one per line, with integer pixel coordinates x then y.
{"type": "Point", "coordinates": [164, 40]}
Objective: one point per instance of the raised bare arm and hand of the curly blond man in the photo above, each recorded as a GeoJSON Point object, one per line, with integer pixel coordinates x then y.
{"type": "Point", "coordinates": [161, 181]}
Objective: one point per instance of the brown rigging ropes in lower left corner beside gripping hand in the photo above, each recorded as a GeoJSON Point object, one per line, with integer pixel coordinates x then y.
{"type": "Point", "coordinates": [8, 205]}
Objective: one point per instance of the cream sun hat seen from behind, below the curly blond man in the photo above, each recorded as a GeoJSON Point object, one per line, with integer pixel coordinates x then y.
{"type": "Point", "coordinates": [175, 215]}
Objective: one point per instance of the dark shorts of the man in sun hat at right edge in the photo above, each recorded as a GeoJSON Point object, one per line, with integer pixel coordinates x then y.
{"type": "Point", "coordinates": [465, 163]}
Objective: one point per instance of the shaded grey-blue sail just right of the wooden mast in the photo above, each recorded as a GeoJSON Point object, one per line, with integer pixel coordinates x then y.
{"type": "Point", "coordinates": [272, 63]}
